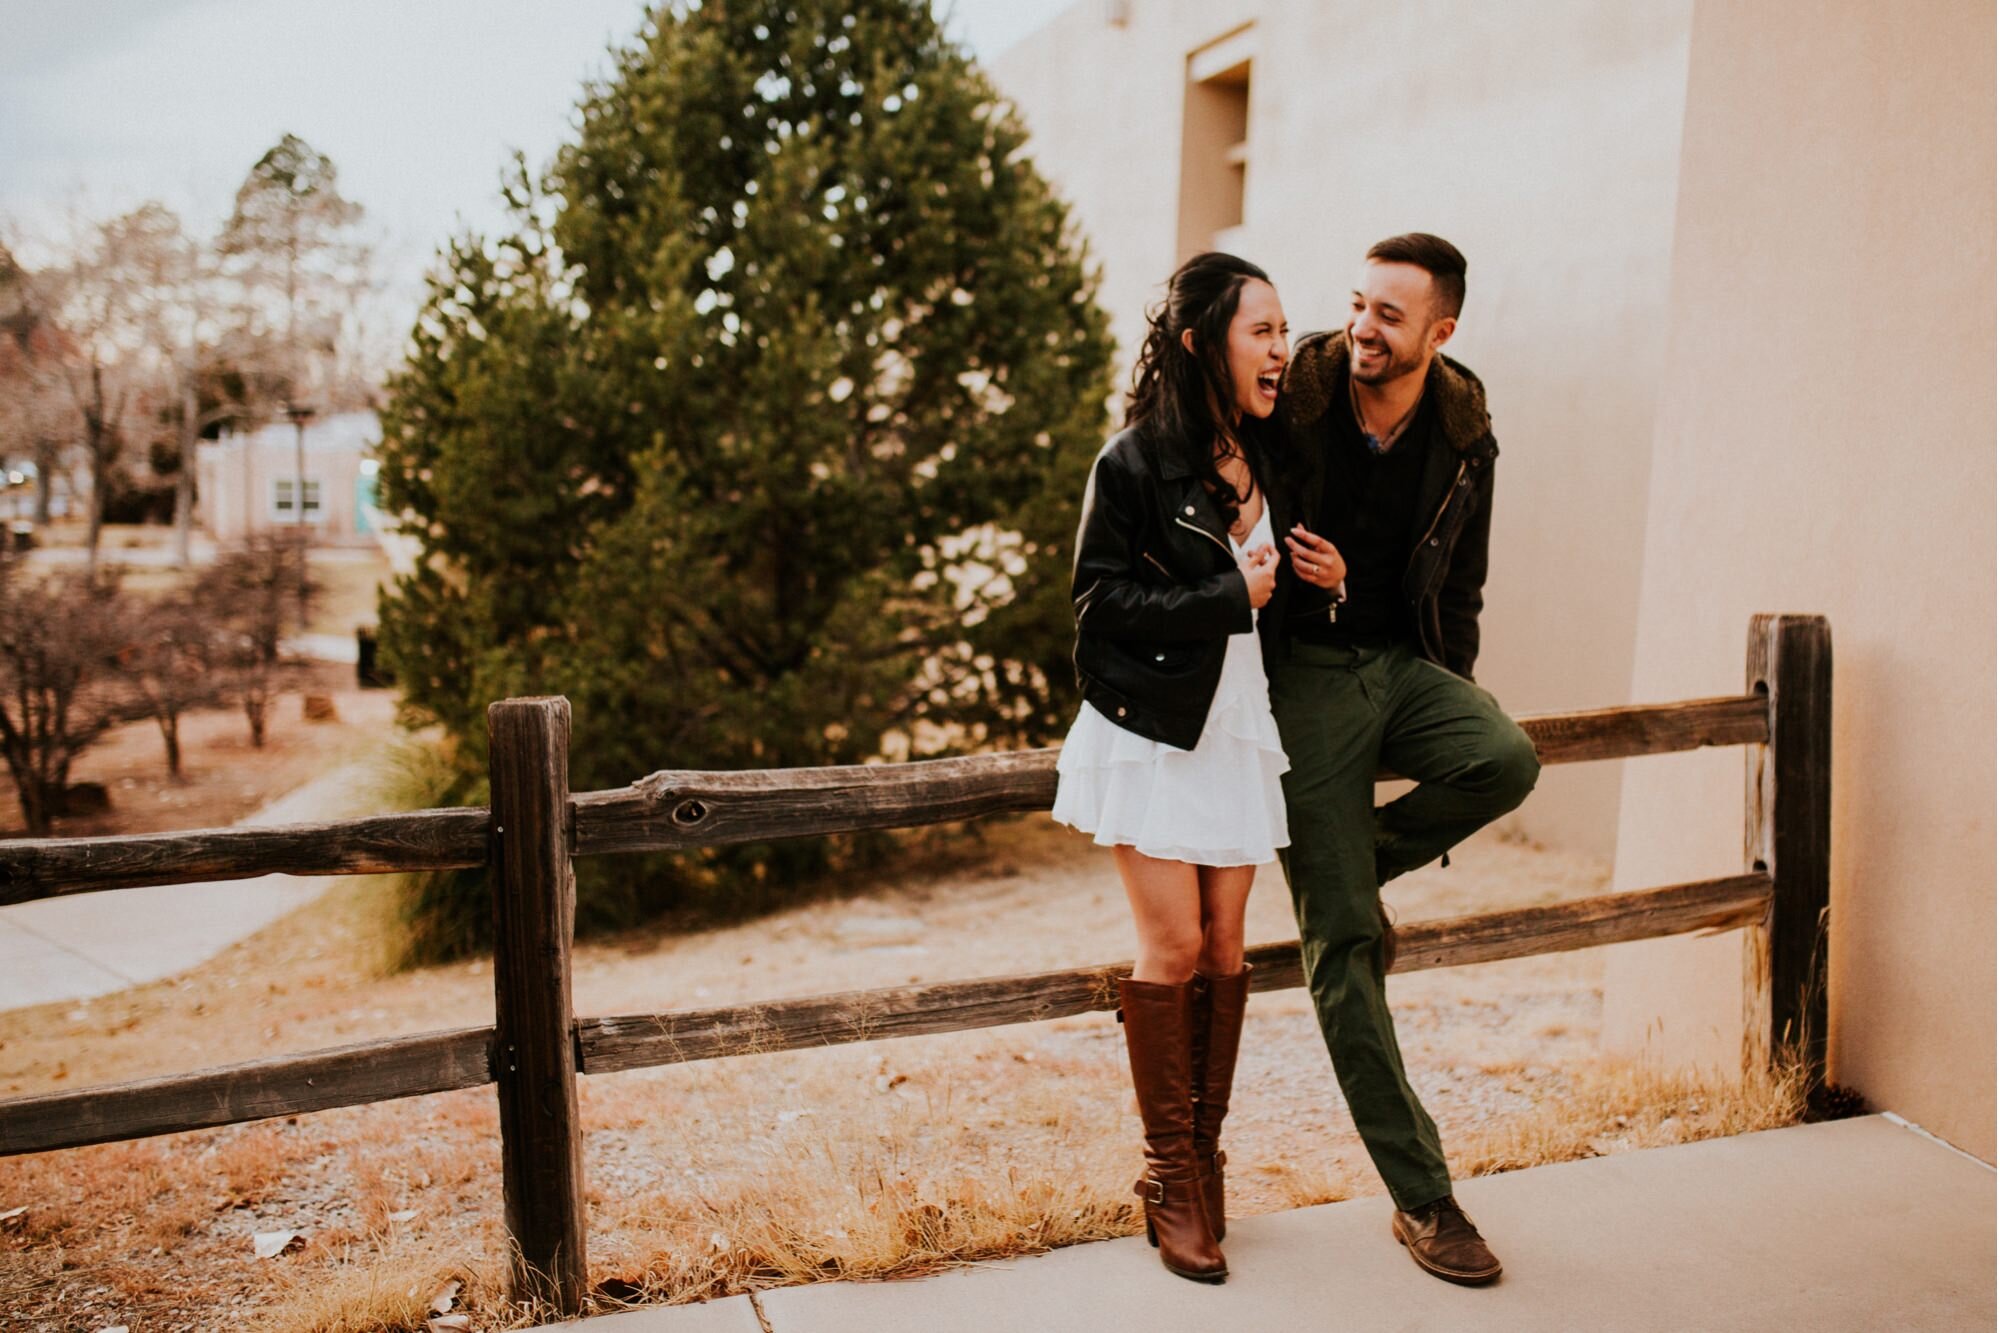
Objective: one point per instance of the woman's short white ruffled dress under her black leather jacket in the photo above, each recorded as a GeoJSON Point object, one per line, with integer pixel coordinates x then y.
{"type": "Point", "coordinates": [1221, 804]}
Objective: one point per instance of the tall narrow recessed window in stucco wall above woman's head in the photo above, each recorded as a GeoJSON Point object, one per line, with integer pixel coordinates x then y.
{"type": "Point", "coordinates": [1215, 143]}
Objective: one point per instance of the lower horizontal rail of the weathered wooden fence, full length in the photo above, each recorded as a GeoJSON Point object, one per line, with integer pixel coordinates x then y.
{"type": "Point", "coordinates": [445, 1062]}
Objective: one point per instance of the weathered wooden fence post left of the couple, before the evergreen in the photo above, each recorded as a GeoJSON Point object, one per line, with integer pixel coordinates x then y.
{"type": "Point", "coordinates": [535, 1044]}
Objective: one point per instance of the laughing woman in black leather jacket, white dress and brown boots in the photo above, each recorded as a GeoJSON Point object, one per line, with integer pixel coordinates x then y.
{"type": "Point", "coordinates": [1175, 760]}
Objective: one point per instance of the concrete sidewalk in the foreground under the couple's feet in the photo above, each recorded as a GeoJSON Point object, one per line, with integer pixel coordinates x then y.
{"type": "Point", "coordinates": [1861, 1224]}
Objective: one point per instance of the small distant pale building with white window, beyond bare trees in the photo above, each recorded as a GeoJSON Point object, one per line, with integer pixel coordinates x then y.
{"type": "Point", "coordinates": [251, 483]}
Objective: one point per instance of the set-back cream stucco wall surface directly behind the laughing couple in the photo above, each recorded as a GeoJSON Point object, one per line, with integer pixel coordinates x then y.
{"type": "Point", "coordinates": [1545, 143]}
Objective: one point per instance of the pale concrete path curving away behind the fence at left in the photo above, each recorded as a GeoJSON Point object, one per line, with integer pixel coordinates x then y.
{"type": "Point", "coordinates": [93, 944]}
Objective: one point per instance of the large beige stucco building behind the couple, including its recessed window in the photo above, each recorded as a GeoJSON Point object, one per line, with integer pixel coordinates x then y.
{"type": "Point", "coordinates": [1729, 261]}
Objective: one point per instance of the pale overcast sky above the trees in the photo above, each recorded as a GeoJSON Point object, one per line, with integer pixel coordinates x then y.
{"type": "Point", "coordinates": [111, 103]}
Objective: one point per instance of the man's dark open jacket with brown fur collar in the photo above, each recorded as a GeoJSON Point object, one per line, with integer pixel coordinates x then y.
{"type": "Point", "coordinates": [1447, 573]}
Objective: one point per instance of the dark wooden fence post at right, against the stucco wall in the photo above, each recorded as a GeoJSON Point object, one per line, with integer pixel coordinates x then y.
{"type": "Point", "coordinates": [1789, 836]}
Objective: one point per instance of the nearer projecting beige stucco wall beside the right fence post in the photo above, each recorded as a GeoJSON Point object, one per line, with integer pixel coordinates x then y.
{"type": "Point", "coordinates": [1827, 445]}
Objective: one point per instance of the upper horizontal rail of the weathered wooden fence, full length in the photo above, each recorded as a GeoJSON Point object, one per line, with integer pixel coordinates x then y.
{"type": "Point", "coordinates": [679, 812]}
